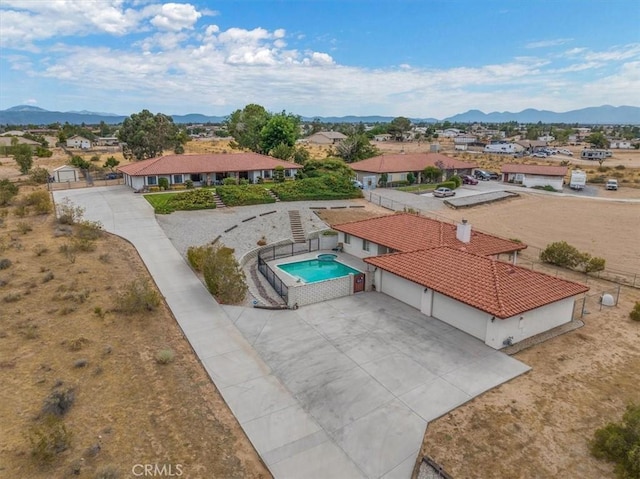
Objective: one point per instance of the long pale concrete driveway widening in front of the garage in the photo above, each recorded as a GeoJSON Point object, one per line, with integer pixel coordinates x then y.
{"type": "Point", "coordinates": [337, 389]}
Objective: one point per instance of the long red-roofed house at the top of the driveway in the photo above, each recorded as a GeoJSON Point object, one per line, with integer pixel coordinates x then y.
{"type": "Point", "coordinates": [205, 169]}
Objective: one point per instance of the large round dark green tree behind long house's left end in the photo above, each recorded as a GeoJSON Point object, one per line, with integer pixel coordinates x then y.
{"type": "Point", "coordinates": [146, 135]}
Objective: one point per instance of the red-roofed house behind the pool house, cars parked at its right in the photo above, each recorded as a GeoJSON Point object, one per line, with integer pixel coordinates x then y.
{"type": "Point", "coordinates": [398, 166]}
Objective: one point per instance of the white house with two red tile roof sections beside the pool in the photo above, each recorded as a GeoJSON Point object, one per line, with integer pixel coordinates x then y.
{"type": "Point", "coordinates": [452, 273]}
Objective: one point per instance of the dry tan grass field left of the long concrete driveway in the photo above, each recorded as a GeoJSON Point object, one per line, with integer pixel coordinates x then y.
{"type": "Point", "coordinates": [128, 409]}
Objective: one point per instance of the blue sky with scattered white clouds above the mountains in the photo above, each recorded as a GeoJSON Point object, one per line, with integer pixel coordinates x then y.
{"type": "Point", "coordinates": [415, 58]}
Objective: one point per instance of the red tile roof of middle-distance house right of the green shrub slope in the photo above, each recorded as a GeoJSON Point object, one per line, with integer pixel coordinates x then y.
{"type": "Point", "coordinates": [399, 163]}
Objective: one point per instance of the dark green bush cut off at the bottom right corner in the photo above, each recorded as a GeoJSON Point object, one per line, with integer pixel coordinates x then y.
{"type": "Point", "coordinates": [620, 443]}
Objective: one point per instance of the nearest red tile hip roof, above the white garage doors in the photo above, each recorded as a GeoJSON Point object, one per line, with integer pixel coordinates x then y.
{"type": "Point", "coordinates": [496, 287]}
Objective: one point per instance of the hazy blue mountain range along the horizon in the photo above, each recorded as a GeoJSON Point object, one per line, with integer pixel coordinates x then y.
{"type": "Point", "coordinates": [600, 115]}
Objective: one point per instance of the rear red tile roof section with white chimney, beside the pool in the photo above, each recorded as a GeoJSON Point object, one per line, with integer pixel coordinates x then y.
{"type": "Point", "coordinates": [406, 232]}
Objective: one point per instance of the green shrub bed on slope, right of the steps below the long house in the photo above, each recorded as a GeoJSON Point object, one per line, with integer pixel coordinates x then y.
{"type": "Point", "coordinates": [323, 188]}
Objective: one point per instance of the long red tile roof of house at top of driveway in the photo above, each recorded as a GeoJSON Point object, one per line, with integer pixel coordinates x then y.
{"type": "Point", "coordinates": [207, 163]}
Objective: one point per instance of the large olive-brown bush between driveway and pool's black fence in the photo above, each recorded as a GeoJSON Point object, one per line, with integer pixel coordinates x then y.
{"type": "Point", "coordinates": [223, 276]}
